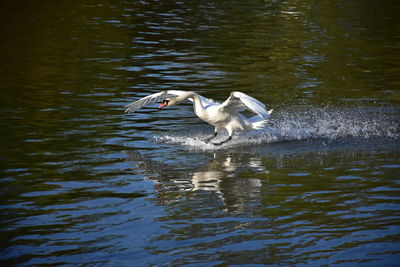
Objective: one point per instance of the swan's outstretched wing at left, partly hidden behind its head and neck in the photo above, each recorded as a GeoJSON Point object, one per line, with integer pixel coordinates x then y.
{"type": "Point", "coordinates": [159, 97]}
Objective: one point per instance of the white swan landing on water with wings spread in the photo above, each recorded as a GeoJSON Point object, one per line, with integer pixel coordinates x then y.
{"type": "Point", "coordinates": [224, 115]}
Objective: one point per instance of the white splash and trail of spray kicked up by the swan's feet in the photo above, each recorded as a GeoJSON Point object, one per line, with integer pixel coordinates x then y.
{"type": "Point", "coordinates": [301, 124]}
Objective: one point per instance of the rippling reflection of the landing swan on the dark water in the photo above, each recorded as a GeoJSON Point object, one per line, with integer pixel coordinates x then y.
{"type": "Point", "coordinates": [220, 177]}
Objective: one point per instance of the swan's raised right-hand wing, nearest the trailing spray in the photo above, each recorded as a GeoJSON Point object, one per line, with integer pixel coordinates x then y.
{"type": "Point", "coordinates": [238, 101]}
